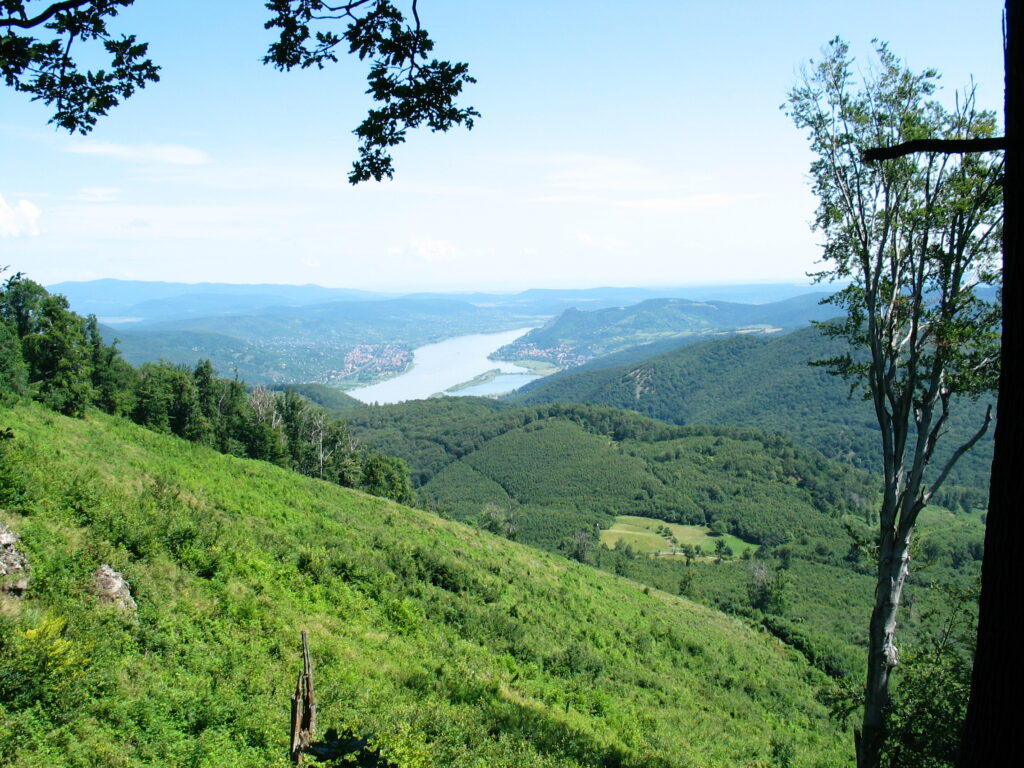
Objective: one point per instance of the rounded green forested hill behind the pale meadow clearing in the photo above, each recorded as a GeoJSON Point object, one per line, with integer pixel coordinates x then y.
{"type": "Point", "coordinates": [571, 470]}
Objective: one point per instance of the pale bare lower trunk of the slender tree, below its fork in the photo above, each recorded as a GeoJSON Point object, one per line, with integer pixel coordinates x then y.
{"type": "Point", "coordinates": [894, 559]}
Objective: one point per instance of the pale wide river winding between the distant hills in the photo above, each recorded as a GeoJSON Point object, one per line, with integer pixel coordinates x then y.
{"type": "Point", "coordinates": [448, 364]}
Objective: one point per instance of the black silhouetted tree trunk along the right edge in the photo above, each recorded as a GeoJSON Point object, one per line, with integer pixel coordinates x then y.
{"type": "Point", "coordinates": [994, 730]}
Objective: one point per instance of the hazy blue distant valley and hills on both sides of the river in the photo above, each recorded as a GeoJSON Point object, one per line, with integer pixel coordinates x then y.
{"type": "Point", "coordinates": [276, 334]}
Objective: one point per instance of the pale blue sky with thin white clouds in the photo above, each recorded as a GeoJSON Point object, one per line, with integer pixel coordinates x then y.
{"type": "Point", "coordinates": [621, 144]}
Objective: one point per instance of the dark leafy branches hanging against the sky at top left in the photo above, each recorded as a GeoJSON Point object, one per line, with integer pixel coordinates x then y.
{"type": "Point", "coordinates": [38, 39]}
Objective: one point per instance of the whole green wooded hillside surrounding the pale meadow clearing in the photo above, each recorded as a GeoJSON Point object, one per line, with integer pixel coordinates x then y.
{"type": "Point", "coordinates": [562, 477]}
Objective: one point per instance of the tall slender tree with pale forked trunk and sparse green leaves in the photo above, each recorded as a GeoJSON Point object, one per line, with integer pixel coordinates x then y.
{"type": "Point", "coordinates": [915, 237]}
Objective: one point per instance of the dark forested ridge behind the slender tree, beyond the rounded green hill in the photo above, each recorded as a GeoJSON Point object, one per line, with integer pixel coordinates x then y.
{"type": "Point", "coordinates": [764, 383]}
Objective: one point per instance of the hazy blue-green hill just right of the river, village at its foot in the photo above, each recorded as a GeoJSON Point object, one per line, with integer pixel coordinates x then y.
{"type": "Point", "coordinates": [577, 336]}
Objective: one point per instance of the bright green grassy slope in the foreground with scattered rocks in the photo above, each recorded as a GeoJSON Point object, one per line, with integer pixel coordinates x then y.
{"type": "Point", "coordinates": [452, 647]}
